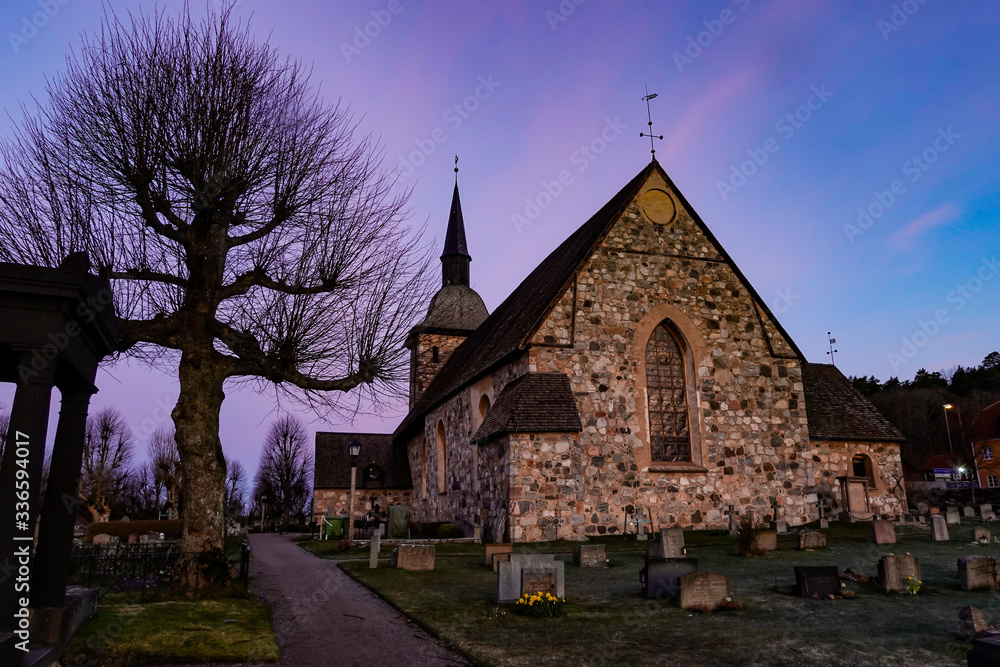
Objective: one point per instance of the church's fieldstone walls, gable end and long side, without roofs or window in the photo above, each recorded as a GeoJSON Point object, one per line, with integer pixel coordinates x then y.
{"type": "Point", "coordinates": [750, 436]}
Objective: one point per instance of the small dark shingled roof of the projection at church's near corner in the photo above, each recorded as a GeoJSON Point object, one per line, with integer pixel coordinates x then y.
{"type": "Point", "coordinates": [533, 403]}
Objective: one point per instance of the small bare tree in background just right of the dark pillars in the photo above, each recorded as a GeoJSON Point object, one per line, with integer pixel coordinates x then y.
{"type": "Point", "coordinates": [108, 448]}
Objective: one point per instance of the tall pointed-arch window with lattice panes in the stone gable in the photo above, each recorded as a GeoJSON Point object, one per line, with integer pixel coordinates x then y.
{"type": "Point", "coordinates": [669, 435]}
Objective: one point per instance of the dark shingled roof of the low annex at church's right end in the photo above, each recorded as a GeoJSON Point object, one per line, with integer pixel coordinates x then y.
{"type": "Point", "coordinates": [838, 412]}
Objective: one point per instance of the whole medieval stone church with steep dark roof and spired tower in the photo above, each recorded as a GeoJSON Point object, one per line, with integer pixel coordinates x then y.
{"type": "Point", "coordinates": [634, 373]}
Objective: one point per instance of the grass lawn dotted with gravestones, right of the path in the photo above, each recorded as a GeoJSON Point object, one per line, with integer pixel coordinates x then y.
{"type": "Point", "coordinates": [607, 622]}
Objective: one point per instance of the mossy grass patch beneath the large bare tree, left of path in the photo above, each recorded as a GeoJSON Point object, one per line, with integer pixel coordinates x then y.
{"type": "Point", "coordinates": [175, 632]}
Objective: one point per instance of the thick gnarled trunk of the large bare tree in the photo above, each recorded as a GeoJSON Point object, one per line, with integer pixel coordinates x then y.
{"type": "Point", "coordinates": [203, 467]}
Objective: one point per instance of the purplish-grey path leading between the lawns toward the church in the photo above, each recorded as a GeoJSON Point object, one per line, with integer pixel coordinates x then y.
{"type": "Point", "coordinates": [323, 617]}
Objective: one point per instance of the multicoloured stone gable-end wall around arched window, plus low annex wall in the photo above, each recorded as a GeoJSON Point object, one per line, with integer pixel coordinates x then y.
{"type": "Point", "coordinates": [749, 403]}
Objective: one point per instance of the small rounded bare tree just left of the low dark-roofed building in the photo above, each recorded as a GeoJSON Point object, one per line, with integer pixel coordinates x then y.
{"type": "Point", "coordinates": [284, 474]}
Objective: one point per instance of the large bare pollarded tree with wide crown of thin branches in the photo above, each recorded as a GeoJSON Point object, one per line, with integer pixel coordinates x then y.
{"type": "Point", "coordinates": [244, 224]}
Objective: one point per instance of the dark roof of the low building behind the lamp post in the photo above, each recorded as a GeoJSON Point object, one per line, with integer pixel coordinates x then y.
{"type": "Point", "coordinates": [333, 464]}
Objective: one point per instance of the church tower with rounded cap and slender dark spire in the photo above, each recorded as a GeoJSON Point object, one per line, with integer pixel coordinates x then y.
{"type": "Point", "coordinates": [454, 313]}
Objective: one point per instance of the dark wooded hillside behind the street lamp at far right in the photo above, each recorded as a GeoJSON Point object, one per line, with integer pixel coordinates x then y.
{"type": "Point", "coordinates": [916, 406]}
